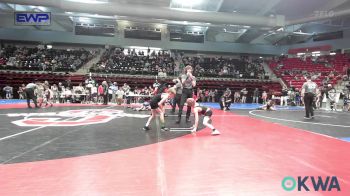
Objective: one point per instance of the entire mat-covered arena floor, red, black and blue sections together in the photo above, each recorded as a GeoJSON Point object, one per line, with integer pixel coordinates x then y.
{"type": "Point", "coordinates": [73, 149]}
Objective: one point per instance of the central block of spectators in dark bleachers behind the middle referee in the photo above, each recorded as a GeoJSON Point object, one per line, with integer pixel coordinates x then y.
{"type": "Point", "coordinates": [116, 60]}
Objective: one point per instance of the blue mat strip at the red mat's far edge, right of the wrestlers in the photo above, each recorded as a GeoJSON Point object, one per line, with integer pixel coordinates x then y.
{"type": "Point", "coordinates": [250, 106]}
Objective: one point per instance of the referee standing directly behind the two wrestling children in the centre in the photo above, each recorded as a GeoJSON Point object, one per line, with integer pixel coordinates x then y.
{"type": "Point", "coordinates": [188, 83]}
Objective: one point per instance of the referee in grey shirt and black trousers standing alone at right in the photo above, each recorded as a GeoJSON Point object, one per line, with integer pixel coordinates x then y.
{"type": "Point", "coordinates": [309, 91]}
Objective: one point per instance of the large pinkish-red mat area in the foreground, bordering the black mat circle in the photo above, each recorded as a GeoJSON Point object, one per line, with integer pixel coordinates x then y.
{"type": "Point", "coordinates": [250, 157]}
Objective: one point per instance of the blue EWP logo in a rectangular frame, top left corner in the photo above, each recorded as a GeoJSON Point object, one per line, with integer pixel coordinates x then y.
{"type": "Point", "coordinates": [32, 18]}
